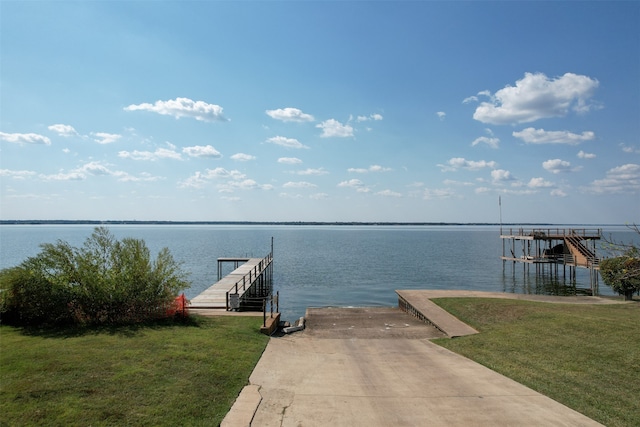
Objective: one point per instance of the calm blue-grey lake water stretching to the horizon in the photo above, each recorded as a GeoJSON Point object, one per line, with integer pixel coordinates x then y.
{"type": "Point", "coordinates": [326, 265]}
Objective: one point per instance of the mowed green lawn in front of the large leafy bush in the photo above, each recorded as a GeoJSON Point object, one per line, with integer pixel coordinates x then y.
{"type": "Point", "coordinates": [161, 374]}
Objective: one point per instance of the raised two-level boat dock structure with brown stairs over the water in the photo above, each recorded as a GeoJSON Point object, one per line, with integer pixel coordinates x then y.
{"type": "Point", "coordinates": [553, 247]}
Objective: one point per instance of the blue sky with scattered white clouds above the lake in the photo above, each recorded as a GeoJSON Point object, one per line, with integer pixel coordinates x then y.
{"type": "Point", "coordinates": [320, 111]}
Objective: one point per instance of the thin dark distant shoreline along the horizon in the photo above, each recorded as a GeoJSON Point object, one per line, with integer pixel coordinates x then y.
{"type": "Point", "coordinates": [289, 223]}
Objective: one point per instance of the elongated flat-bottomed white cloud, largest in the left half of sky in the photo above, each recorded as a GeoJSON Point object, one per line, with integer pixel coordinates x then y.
{"type": "Point", "coordinates": [183, 107]}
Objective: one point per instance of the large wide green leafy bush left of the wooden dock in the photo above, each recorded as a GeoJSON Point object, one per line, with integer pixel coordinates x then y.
{"type": "Point", "coordinates": [105, 281]}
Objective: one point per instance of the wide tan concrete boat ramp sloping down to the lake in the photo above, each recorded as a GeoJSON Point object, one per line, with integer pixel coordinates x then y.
{"type": "Point", "coordinates": [377, 367]}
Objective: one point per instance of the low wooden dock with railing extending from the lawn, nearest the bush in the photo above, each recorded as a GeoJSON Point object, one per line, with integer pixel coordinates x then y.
{"type": "Point", "coordinates": [251, 279]}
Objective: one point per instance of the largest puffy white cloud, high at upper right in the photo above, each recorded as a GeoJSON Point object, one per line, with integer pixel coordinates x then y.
{"type": "Point", "coordinates": [535, 97]}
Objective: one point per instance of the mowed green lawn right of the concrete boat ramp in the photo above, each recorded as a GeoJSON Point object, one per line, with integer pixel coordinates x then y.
{"type": "Point", "coordinates": [584, 356]}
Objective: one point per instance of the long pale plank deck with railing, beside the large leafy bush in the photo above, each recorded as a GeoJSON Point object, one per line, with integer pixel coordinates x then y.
{"type": "Point", "coordinates": [240, 281]}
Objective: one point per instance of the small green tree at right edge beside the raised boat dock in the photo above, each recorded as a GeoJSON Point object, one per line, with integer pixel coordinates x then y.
{"type": "Point", "coordinates": [622, 272]}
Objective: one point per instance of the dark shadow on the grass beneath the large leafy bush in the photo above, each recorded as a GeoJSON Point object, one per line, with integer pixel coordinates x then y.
{"type": "Point", "coordinates": [122, 329]}
